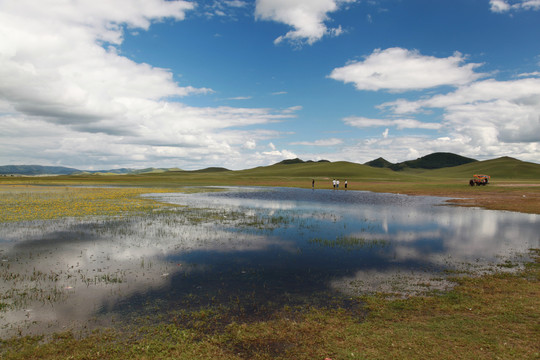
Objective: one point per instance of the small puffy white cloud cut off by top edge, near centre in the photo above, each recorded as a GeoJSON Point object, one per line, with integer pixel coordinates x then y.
{"type": "Point", "coordinates": [307, 17]}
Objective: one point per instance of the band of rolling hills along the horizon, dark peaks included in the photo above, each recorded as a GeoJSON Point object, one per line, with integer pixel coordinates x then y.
{"type": "Point", "coordinates": [437, 165]}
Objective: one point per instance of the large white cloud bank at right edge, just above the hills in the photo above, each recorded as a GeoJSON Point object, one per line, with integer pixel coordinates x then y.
{"type": "Point", "coordinates": [488, 117]}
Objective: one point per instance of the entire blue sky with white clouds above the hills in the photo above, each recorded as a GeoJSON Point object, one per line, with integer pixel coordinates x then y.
{"type": "Point", "coordinates": [103, 84]}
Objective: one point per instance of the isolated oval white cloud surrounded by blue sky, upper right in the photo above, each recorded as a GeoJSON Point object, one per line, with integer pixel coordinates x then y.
{"type": "Point", "coordinates": [398, 69]}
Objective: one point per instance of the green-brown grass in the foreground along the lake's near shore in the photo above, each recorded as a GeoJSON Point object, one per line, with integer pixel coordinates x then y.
{"type": "Point", "coordinates": [490, 317]}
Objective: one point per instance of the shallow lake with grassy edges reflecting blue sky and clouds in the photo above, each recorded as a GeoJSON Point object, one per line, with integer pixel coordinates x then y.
{"type": "Point", "coordinates": [248, 252]}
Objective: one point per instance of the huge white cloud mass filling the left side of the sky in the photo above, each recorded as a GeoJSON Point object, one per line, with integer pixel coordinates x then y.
{"type": "Point", "coordinates": [61, 69]}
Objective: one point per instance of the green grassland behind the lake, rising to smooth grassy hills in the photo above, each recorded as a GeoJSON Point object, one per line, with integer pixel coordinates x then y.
{"type": "Point", "coordinates": [514, 186]}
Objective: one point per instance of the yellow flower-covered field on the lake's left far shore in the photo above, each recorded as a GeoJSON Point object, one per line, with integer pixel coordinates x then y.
{"type": "Point", "coordinates": [28, 202]}
